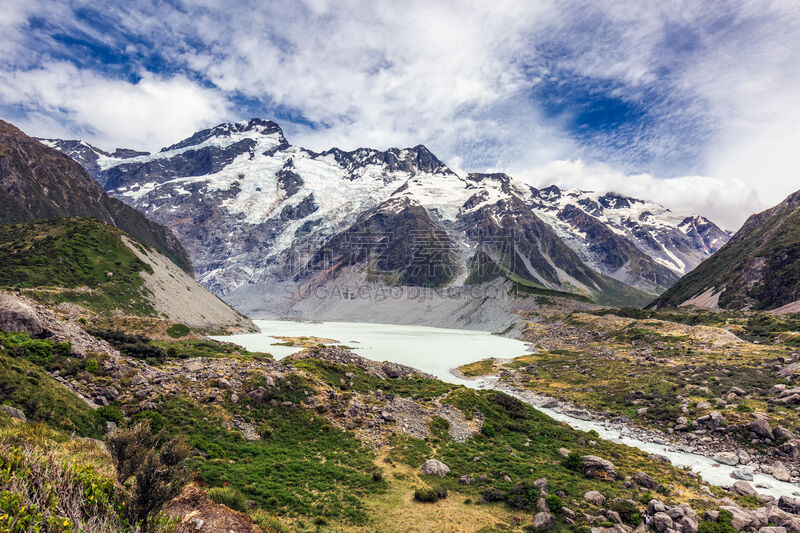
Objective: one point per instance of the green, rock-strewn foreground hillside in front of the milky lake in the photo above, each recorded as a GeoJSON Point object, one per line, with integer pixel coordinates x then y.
{"type": "Point", "coordinates": [328, 441]}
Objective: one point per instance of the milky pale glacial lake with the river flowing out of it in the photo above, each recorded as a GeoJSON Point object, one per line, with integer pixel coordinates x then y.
{"type": "Point", "coordinates": [438, 351]}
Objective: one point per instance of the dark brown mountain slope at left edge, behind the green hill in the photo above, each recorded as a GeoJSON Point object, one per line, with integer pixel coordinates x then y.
{"type": "Point", "coordinates": [38, 182]}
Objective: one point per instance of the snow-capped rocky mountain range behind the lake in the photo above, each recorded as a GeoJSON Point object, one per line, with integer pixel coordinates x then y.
{"type": "Point", "coordinates": [252, 209]}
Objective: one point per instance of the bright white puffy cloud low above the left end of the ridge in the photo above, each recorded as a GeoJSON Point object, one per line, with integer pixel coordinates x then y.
{"type": "Point", "coordinates": [65, 101]}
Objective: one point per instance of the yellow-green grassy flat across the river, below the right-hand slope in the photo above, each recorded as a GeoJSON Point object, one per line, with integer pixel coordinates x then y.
{"type": "Point", "coordinates": [619, 364]}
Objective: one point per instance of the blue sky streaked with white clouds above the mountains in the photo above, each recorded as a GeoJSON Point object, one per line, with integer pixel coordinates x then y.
{"type": "Point", "coordinates": [694, 104]}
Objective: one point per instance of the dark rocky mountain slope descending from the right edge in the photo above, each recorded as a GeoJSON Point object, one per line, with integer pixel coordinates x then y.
{"type": "Point", "coordinates": [759, 268]}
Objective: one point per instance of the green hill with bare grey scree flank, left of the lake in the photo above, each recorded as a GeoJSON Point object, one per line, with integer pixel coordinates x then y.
{"type": "Point", "coordinates": [101, 269]}
